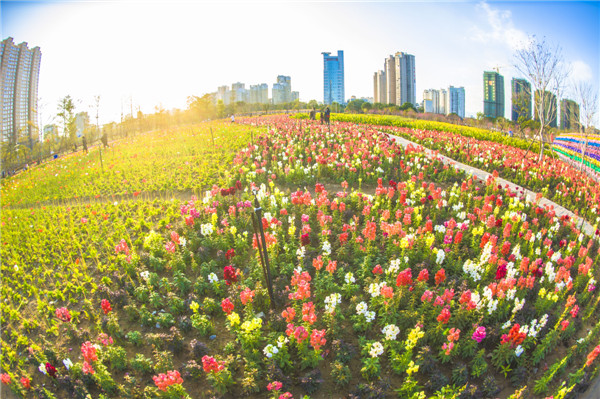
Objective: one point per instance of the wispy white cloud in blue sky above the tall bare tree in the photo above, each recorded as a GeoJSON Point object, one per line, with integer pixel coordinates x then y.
{"type": "Point", "coordinates": [498, 27]}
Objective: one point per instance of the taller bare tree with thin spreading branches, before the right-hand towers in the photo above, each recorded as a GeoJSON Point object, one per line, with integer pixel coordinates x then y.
{"type": "Point", "coordinates": [543, 65]}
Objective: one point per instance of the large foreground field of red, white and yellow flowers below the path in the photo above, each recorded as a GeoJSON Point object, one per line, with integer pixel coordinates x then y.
{"type": "Point", "coordinates": [393, 275]}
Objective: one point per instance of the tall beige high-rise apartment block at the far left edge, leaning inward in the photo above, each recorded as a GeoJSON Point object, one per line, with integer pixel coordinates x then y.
{"type": "Point", "coordinates": [20, 70]}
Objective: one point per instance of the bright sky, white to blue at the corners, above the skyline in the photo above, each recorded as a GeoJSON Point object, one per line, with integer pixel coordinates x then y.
{"type": "Point", "coordinates": [144, 54]}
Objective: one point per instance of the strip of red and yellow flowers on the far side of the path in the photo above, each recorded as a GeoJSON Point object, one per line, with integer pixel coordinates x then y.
{"type": "Point", "coordinates": [559, 181]}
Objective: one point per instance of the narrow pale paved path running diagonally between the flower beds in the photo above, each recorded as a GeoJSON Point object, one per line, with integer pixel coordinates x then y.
{"type": "Point", "coordinates": [594, 391]}
